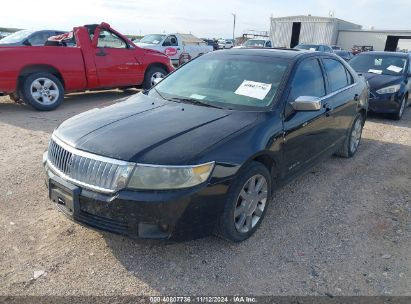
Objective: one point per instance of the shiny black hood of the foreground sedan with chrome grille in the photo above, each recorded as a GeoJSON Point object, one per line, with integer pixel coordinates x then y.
{"type": "Point", "coordinates": [147, 130]}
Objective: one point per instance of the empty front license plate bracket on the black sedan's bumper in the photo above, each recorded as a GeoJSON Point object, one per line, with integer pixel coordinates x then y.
{"type": "Point", "coordinates": [64, 195]}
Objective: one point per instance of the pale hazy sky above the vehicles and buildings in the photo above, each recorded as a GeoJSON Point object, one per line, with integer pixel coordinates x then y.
{"type": "Point", "coordinates": [206, 18]}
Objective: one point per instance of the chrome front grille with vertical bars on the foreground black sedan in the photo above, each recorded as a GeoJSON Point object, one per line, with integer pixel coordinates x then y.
{"type": "Point", "coordinates": [88, 170]}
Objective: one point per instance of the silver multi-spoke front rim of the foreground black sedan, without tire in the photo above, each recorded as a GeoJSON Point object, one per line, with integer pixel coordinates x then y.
{"type": "Point", "coordinates": [251, 203]}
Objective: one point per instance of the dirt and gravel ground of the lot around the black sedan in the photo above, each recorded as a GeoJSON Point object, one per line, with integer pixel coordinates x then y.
{"type": "Point", "coordinates": [342, 229]}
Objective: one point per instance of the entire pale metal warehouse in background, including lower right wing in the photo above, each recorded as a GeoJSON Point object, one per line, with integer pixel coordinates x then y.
{"type": "Point", "coordinates": [290, 31]}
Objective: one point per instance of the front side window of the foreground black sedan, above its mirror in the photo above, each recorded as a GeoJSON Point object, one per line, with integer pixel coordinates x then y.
{"type": "Point", "coordinates": [308, 80]}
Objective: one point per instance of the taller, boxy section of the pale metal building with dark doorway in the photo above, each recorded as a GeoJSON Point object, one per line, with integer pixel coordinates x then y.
{"type": "Point", "coordinates": [290, 31]}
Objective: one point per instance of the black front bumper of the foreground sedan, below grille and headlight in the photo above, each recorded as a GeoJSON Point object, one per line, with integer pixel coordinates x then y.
{"type": "Point", "coordinates": [175, 215]}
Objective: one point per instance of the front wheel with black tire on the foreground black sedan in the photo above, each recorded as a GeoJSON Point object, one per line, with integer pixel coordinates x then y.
{"type": "Point", "coordinates": [247, 203]}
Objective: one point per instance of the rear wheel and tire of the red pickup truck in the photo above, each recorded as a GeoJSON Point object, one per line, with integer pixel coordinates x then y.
{"type": "Point", "coordinates": [43, 91]}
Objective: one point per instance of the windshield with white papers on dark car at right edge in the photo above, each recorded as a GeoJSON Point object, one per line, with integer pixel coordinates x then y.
{"type": "Point", "coordinates": [379, 64]}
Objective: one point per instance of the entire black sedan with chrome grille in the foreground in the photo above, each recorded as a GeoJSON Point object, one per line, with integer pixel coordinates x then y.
{"type": "Point", "coordinates": [202, 153]}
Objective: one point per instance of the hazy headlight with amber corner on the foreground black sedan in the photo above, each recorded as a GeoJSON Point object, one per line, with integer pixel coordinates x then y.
{"type": "Point", "coordinates": [152, 177]}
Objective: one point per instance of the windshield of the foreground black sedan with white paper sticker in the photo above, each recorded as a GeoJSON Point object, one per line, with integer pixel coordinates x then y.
{"type": "Point", "coordinates": [226, 80]}
